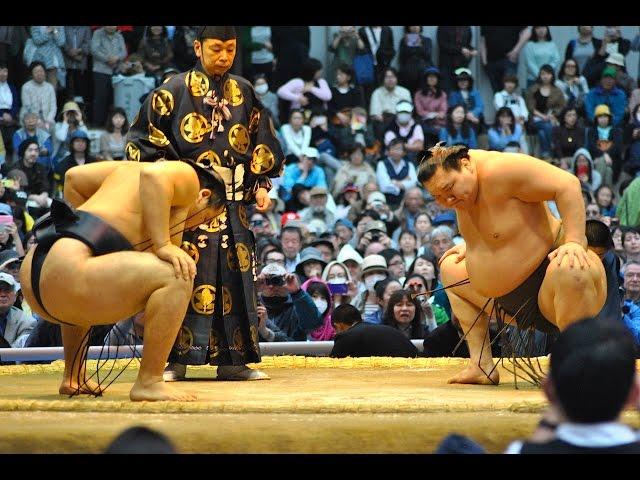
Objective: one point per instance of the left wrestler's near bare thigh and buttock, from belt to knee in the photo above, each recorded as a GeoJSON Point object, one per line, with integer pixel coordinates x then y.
{"type": "Point", "coordinates": [105, 289]}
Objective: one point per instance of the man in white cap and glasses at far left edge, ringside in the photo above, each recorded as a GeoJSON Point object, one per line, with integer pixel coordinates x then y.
{"type": "Point", "coordinates": [15, 325]}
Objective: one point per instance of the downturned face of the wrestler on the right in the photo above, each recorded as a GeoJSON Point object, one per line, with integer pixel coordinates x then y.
{"type": "Point", "coordinates": [454, 188]}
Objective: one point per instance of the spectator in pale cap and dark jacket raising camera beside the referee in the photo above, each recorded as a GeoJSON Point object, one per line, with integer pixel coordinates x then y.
{"type": "Point", "coordinates": [285, 311]}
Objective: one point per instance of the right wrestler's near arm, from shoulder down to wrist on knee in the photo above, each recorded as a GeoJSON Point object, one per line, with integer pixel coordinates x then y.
{"type": "Point", "coordinates": [533, 180]}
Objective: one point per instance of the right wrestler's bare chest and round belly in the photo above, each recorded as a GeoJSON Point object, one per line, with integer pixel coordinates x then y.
{"type": "Point", "coordinates": [506, 238]}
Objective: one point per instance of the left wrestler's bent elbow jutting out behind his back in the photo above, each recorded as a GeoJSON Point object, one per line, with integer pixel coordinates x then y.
{"type": "Point", "coordinates": [81, 182]}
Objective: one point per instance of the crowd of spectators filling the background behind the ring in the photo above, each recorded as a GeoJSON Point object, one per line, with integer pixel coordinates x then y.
{"type": "Point", "coordinates": [349, 224]}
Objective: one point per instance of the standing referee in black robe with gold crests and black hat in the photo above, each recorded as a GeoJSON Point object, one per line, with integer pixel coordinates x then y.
{"type": "Point", "coordinates": [214, 119]}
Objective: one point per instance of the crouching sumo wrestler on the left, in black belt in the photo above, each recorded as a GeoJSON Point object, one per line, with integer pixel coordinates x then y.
{"type": "Point", "coordinates": [116, 253]}
